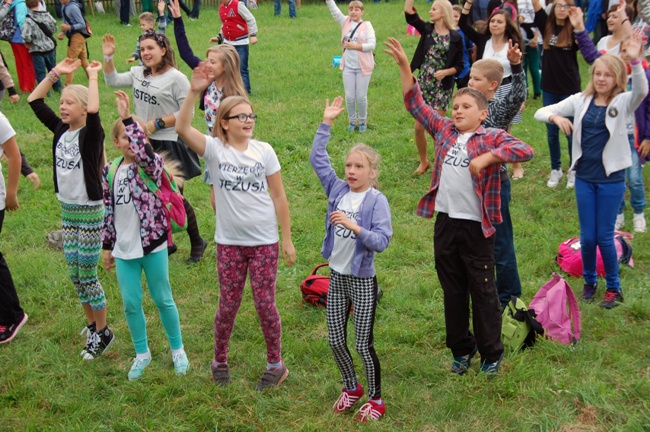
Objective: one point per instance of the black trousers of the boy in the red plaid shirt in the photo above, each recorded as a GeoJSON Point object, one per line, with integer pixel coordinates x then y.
{"type": "Point", "coordinates": [465, 265]}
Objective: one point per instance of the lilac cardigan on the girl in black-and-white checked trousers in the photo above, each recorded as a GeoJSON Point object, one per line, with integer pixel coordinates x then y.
{"type": "Point", "coordinates": [374, 214]}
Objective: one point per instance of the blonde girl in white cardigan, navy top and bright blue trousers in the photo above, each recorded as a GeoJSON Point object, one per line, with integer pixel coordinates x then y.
{"type": "Point", "coordinates": [601, 152]}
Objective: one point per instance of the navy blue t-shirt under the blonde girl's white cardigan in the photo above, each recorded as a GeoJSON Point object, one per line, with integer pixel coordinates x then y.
{"type": "Point", "coordinates": [594, 137]}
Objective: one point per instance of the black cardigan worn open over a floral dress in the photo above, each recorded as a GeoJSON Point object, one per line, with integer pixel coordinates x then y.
{"type": "Point", "coordinates": [455, 56]}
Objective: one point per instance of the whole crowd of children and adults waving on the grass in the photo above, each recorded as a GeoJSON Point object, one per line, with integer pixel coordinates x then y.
{"type": "Point", "coordinates": [109, 210]}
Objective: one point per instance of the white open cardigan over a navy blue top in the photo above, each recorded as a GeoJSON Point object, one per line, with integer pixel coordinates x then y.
{"type": "Point", "coordinates": [616, 154]}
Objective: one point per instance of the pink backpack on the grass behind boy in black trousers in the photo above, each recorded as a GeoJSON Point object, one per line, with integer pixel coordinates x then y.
{"type": "Point", "coordinates": [550, 305]}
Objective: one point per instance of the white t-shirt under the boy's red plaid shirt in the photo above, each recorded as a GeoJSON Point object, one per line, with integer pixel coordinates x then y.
{"type": "Point", "coordinates": [456, 195]}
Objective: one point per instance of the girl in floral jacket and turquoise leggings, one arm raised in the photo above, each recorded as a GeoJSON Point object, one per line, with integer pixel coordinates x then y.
{"type": "Point", "coordinates": [135, 239]}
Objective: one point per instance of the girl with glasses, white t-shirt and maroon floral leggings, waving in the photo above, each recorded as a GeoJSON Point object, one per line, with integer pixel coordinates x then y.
{"type": "Point", "coordinates": [251, 201]}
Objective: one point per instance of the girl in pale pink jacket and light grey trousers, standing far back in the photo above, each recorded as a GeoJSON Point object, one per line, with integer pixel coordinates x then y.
{"type": "Point", "coordinates": [357, 63]}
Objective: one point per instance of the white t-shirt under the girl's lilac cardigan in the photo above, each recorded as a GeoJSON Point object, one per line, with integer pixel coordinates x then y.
{"type": "Point", "coordinates": [344, 239]}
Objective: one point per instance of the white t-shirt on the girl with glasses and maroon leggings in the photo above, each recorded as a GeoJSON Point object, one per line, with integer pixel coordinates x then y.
{"type": "Point", "coordinates": [246, 214]}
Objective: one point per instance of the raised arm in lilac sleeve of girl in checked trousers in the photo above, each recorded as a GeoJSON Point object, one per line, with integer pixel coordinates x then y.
{"type": "Point", "coordinates": [318, 158]}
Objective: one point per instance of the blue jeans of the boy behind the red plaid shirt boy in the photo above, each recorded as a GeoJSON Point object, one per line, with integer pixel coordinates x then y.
{"type": "Point", "coordinates": [505, 260]}
